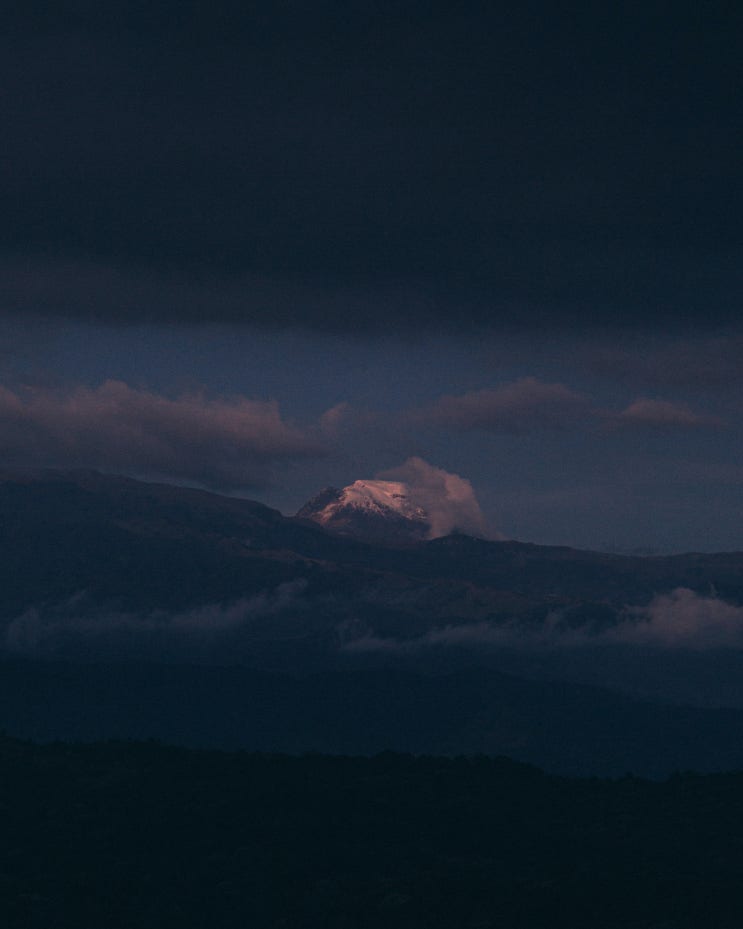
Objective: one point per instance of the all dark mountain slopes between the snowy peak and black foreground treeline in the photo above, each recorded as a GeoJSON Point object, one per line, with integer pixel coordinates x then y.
{"type": "Point", "coordinates": [173, 613]}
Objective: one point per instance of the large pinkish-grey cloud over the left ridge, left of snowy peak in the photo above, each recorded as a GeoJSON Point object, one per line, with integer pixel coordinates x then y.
{"type": "Point", "coordinates": [223, 443]}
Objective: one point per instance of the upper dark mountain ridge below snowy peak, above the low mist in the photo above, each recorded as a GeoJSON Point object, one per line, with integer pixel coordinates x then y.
{"type": "Point", "coordinates": [152, 546]}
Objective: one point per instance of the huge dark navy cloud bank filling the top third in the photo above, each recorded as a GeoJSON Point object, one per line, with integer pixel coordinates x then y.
{"type": "Point", "coordinates": [372, 165]}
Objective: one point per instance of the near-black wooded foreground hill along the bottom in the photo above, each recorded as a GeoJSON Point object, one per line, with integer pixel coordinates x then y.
{"type": "Point", "coordinates": [142, 836]}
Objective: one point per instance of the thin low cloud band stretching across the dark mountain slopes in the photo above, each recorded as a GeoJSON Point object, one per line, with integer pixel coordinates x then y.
{"type": "Point", "coordinates": [680, 620]}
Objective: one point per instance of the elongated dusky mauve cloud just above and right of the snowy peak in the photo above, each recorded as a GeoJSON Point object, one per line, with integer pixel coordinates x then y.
{"type": "Point", "coordinates": [525, 405]}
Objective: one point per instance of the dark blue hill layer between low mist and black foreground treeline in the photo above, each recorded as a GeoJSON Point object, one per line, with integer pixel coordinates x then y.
{"type": "Point", "coordinates": [563, 728]}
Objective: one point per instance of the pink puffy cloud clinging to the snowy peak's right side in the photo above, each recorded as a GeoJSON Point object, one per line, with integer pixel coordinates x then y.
{"type": "Point", "coordinates": [448, 499]}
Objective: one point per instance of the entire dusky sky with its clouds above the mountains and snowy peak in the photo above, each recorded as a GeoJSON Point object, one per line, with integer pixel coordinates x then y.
{"type": "Point", "coordinates": [270, 250]}
